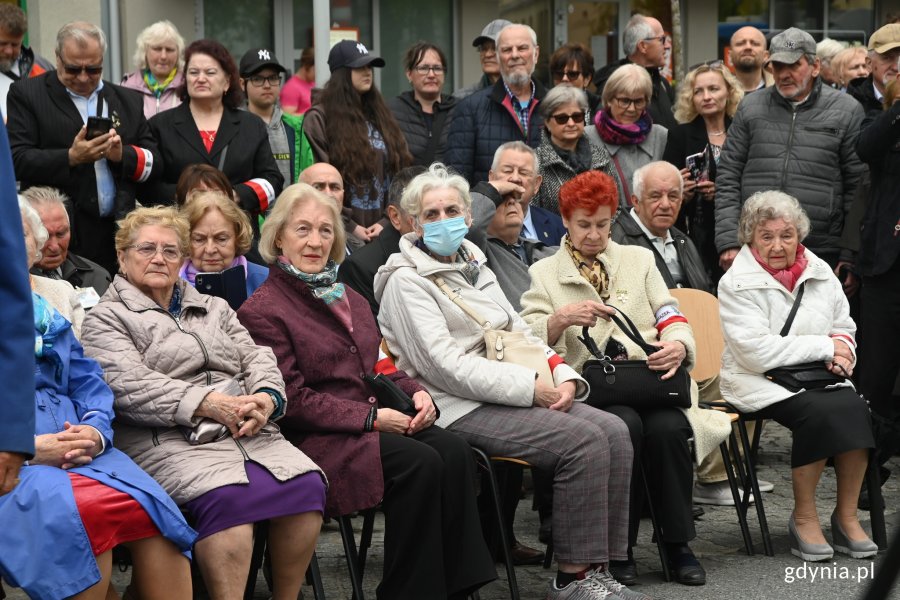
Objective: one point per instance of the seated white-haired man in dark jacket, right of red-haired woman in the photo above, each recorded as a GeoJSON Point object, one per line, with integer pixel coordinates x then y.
{"type": "Point", "coordinates": [658, 190]}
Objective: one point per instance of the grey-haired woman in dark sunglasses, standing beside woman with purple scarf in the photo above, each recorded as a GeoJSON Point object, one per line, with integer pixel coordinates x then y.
{"type": "Point", "coordinates": [565, 151]}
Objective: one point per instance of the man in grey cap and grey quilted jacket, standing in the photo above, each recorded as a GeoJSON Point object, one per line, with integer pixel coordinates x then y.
{"type": "Point", "coordinates": [798, 136]}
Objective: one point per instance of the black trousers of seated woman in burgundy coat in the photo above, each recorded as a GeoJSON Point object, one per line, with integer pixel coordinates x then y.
{"type": "Point", "coordinates": [433, 546]}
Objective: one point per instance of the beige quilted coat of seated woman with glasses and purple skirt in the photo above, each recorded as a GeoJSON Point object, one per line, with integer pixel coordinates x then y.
{"type": "Point", "coordinates": [160, 369]}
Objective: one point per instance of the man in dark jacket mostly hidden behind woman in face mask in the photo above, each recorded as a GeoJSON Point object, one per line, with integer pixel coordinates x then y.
{"type": "Point", "coordinates": [358, 271]}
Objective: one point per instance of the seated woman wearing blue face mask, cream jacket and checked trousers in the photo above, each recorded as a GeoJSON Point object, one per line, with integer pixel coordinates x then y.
{"type": "Point", "coordinates": [498, 406]}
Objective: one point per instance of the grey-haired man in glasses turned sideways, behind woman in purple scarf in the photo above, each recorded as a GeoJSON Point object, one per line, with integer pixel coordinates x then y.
{"type": "Point", "coordinates": [646, 44]}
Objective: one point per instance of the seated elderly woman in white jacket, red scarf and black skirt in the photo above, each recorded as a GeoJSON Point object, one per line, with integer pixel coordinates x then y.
{"type": "Point", "coordinates": [782, 306]}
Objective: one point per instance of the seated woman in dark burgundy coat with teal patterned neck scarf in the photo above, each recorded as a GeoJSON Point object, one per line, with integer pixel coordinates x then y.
{"type": "Point", "coordinates": [326, 340]}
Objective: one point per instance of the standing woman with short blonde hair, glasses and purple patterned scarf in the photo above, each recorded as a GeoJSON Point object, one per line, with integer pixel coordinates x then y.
{"type": "Point", "coordinates": [625, 128]}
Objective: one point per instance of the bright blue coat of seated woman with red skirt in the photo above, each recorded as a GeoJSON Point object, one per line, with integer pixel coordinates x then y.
{"type": "Point", "coordinates": [44, 548]}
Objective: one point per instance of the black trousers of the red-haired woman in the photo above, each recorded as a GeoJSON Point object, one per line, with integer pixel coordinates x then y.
{"type": "Point", "coordinates": [660, 440]}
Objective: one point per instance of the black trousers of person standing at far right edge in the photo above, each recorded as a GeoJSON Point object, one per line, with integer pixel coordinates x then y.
{"type": "Point", "coordinates": [880, 360]}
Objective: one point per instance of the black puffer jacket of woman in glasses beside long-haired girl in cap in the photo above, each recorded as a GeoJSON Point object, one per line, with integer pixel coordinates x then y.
{"type": "Point", "coordinates": [412, 121]}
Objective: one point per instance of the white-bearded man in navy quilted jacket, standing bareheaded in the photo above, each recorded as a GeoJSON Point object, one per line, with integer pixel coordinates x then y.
{"type": "Point", "coordinates": [504, 112]}
